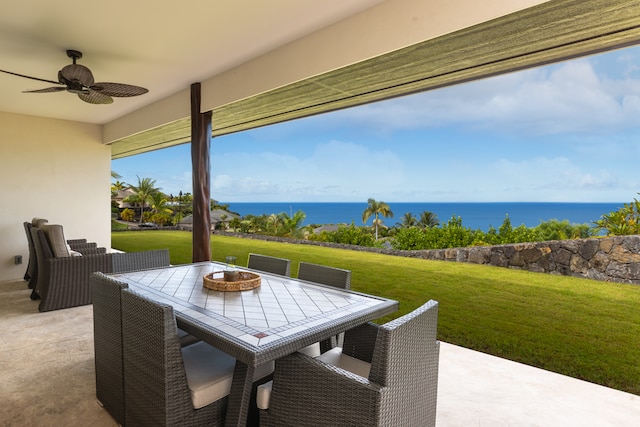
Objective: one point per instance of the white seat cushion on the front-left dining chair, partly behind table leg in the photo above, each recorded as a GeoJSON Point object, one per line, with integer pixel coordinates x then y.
{"type": "Point", "coordinates": [210, 373]}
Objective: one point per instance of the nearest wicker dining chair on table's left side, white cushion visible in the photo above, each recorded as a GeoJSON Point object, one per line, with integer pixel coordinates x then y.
{"type": "Point", "coordinates": [166, 384]}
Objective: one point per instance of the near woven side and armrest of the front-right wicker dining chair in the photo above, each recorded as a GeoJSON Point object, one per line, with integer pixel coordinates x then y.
{"type": "Point", "coordinates": [308, 392]}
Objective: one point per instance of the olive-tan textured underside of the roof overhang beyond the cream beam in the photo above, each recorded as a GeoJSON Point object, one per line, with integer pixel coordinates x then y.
{"type": "Point", "coordinates": [549, 32]}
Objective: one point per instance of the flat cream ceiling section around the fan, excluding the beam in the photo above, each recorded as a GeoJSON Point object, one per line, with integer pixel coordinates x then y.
{"type": "Point", "coordinates": [161, 45]}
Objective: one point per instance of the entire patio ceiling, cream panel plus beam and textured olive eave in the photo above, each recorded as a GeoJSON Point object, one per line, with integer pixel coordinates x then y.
{"type": "Point", "coordinates": [262, 62]}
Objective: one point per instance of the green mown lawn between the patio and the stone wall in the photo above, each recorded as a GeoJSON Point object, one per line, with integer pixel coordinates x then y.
{"type": "Point", "coordinates": [578, 327]}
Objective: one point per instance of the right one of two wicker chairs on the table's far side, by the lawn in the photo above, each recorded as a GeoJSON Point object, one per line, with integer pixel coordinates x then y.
{"type": "Point", "coordinates": [331, 276]}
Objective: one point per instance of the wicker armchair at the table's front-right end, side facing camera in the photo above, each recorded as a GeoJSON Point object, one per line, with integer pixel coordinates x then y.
{"type": "Point", "coordinates": [385, 375]}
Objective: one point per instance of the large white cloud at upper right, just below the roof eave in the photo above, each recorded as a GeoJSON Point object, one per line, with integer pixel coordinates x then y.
{"type": "Point", "coordinates": [568, 97]}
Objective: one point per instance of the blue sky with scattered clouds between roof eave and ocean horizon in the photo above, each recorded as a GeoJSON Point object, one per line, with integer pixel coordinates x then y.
{"type": "Point", "coordinates": [568, 132]}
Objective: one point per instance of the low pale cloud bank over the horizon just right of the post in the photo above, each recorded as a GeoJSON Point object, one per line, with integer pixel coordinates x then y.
{"type": "Point", "coordinates": [334, 170]}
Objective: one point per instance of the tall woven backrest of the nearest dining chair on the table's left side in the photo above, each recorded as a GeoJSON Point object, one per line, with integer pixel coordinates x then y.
{"type": "Point", "coordinates": [155, 381]}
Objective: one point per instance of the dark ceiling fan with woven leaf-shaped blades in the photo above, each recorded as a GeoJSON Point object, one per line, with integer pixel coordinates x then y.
{"type": "Point", "coordinates": [78, 79]}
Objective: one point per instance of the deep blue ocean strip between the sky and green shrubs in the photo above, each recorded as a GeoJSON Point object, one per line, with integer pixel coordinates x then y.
{"type": "Point", "coordinates": [474, 215]}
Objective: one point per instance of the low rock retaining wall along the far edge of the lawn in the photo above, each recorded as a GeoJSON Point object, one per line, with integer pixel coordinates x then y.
{"type": "Point", "coordinates": [610, 259]}
